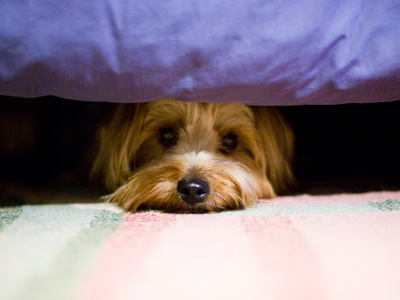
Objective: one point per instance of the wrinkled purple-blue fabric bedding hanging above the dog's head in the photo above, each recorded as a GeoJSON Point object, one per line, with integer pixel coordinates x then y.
{"type": "Point", "coordinates": [256, 52]}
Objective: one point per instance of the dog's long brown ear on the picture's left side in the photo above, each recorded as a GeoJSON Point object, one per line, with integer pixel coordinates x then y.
{"type": "Point", "coordinates": [119, 140]}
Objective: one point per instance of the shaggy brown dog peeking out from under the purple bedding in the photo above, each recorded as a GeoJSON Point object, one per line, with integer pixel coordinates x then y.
{"type": "Point", "coordinates": [186, 157]}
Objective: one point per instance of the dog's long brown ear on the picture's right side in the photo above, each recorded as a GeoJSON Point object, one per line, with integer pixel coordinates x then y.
{"type": "Point", "coordinates": [276, 141]}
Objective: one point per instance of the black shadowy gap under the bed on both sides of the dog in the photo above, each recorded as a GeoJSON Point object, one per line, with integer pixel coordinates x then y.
{"type": "Point", "coordinates": [47, 146]}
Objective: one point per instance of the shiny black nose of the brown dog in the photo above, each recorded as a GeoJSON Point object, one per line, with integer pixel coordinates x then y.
{"type": "Point", "coordinates": [193, 190]}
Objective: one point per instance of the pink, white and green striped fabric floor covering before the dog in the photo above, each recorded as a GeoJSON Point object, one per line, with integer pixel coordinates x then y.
{"type": "Point", "coordinates": [303, 247]}
